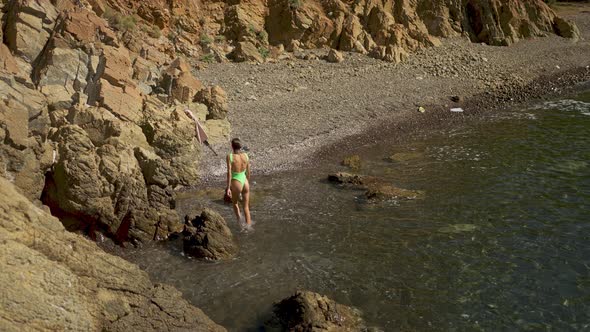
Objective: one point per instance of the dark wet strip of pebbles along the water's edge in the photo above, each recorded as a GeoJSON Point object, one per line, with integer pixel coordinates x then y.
{"type": "Point", "coordinates": [405, 126]}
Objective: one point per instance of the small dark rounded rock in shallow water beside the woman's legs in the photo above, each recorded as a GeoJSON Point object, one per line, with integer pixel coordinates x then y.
{"type": "Point", "coordinates": [207, 236]}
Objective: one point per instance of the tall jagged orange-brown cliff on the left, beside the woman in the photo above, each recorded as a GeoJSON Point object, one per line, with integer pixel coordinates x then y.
{"type": "Point", "coordinates": [93, 125]}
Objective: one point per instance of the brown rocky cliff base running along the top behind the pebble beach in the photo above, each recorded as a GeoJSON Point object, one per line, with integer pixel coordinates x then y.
{"type": "Point", "coordinates": [388, 30]}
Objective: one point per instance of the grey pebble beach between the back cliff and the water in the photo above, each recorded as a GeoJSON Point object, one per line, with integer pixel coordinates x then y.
{"type": "Point", "coordinates": [297, 113]}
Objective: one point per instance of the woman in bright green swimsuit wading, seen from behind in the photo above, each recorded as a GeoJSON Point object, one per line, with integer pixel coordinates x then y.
{"type": "Point", "coordinates": [238, 180]}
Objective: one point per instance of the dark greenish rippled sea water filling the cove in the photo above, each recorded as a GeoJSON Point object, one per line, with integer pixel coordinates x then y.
{"type": "Point", "coordinates": [501, 241]}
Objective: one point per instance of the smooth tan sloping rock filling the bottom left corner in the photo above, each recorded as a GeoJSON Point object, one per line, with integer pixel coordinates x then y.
{"type": "Point", "coordinates": [55, 280]}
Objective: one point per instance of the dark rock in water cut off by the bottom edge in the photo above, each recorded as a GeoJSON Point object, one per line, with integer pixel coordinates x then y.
{"type": "Point", "coordinates": [308, 311]}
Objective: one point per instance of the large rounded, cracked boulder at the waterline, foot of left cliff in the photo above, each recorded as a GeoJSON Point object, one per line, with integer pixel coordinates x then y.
{"type": "Point", "coordinates": [104, 186]}
